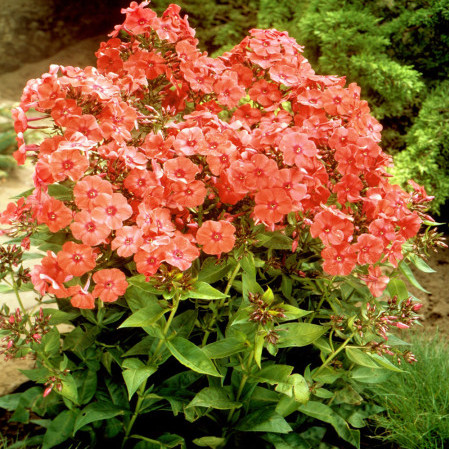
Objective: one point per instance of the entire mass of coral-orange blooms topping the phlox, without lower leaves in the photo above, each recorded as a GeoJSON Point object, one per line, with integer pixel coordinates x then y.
{"type": "Point", "coordinates": [262, 140]}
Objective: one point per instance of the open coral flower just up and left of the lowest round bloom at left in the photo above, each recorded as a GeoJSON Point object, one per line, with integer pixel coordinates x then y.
{"type": "Point", "coordinates": [76, 259]}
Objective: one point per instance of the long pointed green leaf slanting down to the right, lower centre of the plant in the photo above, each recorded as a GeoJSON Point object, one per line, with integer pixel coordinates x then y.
{"type": "Point", "coordinates": [192, 356]}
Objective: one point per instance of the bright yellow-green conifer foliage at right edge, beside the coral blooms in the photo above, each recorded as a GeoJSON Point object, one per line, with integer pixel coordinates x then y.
{"type": "Point", "coordinates": [426, 158]}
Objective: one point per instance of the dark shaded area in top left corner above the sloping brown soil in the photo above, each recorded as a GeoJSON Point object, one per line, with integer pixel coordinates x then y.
{"type": "Point", "coordinates": [35, 29]}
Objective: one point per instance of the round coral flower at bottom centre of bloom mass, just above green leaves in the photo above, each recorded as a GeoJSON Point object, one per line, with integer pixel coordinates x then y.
{"type": "Point", "coordinates": [216, 237]}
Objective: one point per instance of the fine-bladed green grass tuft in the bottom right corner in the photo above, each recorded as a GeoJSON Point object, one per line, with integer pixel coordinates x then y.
{"type": "Point", "coordinates": [416, 402]}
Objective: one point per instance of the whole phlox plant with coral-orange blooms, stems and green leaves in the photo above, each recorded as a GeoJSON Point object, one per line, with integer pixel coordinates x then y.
{"type": "Point", "coordinates": [220, 239]}
